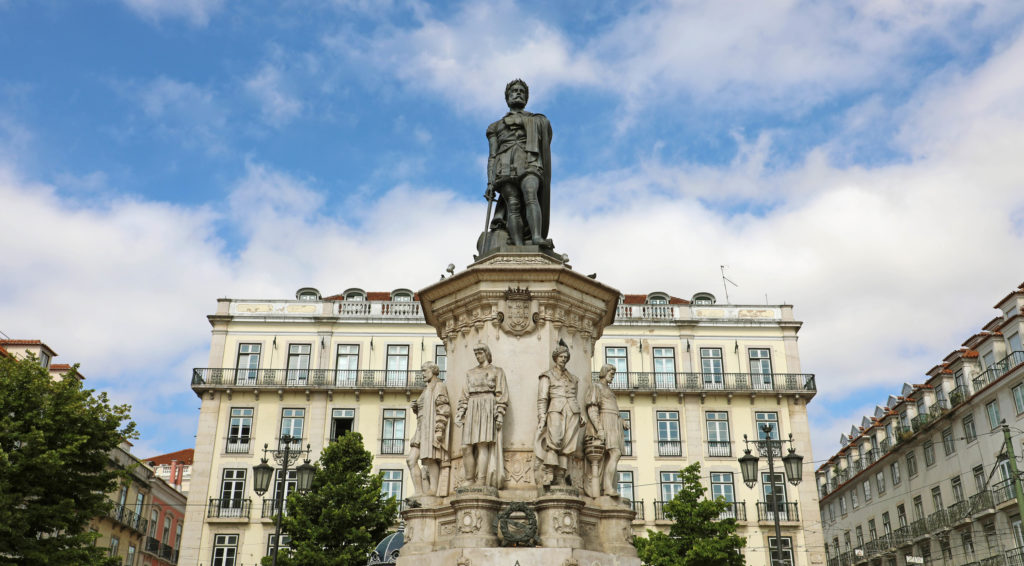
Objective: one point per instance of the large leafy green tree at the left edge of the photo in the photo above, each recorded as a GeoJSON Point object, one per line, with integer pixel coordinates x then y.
{"type": "Point", "coordinates": [56, 441]}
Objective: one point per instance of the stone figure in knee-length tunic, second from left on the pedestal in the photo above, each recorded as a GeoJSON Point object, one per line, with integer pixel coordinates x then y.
{"type": "Point", "coordinates": [481, 415]}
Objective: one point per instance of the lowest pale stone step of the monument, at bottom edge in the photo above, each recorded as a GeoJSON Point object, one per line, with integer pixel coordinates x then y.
{"type": "Point", "coordinates": [513, 556]}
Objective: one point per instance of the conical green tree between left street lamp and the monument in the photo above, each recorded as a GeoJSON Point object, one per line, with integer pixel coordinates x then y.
{"type": "Point", "coordinates": [344, 516]}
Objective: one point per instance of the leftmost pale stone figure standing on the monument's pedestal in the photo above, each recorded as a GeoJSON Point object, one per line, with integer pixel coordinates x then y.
{"type": "Point", "coordinates": [430, 457]}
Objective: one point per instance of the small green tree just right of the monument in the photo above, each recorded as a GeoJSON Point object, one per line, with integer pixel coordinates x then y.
{"type": "Point", "coordinates": [698, 537]}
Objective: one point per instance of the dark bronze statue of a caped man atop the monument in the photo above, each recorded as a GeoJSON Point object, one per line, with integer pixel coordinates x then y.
{"type": "Point", "coordinates": [520, 170]}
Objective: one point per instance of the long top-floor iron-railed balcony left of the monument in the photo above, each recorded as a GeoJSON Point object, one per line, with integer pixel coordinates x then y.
{"type": "Point", "coordinates": [369, 380]}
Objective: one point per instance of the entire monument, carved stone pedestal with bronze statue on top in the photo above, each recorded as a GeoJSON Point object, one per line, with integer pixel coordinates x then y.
{"type": "Point", "coordinates": [528, 475]}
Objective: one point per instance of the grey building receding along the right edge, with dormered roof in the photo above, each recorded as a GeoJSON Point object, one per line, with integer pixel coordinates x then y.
{"type": "Point", "coordinates": [926, 477]}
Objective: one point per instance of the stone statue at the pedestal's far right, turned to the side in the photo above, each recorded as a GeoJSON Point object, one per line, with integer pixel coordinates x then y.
{"type": "Point", "coordinates": [604, 441]}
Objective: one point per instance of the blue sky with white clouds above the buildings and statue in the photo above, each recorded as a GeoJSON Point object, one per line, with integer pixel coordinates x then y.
{"type": "Point", "coordinates": [861, 160]}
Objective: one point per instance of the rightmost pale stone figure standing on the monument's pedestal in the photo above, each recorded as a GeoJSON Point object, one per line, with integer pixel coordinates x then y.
{"type": "Point", "coordinates": [608, 426]}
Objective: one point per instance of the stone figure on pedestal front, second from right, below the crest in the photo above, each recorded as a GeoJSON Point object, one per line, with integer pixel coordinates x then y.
{"type": "Point", "coordinates": [560, 419]}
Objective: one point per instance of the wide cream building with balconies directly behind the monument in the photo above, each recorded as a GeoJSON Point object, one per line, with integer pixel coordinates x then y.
{"type": "Point", "coordinates": [694, 377]}
